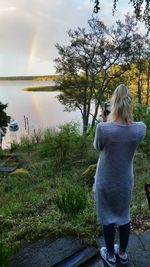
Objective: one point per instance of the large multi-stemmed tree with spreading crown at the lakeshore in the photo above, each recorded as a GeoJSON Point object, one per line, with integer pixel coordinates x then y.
{"type": "Point", "coordinates": [92, 61]}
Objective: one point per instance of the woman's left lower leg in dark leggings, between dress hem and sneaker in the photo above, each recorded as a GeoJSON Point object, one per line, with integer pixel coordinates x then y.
{"type": "Point", "coordinates": [109, 237]}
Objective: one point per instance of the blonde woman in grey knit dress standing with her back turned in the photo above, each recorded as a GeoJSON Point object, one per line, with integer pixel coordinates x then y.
{"type": "Point", "coordinates": [117, 139]}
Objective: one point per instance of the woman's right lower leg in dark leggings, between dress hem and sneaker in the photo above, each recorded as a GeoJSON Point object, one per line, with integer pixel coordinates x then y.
{"type": "Point", "coordinates": [124, 232]}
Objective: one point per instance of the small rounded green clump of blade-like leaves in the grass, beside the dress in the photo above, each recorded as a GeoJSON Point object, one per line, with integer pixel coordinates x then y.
{"type": "Point", "coordinates": [70, 198]}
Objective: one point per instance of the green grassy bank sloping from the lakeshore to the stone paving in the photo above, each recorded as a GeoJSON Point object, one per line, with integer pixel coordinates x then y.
{"type": "Point", "coordinates": [51, 162]}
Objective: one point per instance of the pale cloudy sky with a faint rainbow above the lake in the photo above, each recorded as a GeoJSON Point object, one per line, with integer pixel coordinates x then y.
{"type": "Point", "coordinates": [29, 30]}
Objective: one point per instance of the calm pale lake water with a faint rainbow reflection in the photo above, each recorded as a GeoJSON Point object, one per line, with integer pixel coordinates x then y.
{"type": "Point", "coordinates": [42, 108]}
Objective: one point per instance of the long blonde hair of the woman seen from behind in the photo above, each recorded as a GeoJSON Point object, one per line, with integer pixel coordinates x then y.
{"type": "Point", "coordinates": [121, 104]}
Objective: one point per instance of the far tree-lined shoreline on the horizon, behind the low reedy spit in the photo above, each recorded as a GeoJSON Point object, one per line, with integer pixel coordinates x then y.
{"type": "Point", "coordinates": [34, 78]}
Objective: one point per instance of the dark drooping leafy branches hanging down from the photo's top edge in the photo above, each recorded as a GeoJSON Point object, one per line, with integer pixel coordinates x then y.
{"type": "Point", "coordinates": [141, 10]}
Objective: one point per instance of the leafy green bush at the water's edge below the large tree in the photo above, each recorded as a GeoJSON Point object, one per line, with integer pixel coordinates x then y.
{"type": "Point", "coordinates": [63, 144]}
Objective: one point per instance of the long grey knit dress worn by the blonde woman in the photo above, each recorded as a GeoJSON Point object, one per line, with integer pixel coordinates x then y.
{"type": "Point", "coordinates": [114, 178]}
